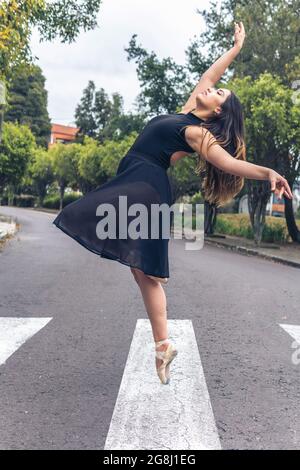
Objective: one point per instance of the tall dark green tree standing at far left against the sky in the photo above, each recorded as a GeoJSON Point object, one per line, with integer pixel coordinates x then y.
{"type": "Point", "coordinates": [27, 103]}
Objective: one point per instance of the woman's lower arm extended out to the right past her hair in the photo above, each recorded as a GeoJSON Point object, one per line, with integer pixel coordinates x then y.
{"type": "Point", "coordinates": [221, 159]}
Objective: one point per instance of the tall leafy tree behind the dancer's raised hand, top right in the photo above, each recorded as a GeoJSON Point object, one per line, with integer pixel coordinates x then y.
{"type": "Point", "coordinates": [272, 38]}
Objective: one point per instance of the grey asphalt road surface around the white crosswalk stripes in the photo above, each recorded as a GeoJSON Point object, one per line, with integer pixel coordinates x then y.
{"type": "Point", "coordinates": [58, 390]}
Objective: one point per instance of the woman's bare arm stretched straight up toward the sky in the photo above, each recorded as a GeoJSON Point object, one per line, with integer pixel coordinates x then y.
{"type": "Point", "coordinates": [217, 69]}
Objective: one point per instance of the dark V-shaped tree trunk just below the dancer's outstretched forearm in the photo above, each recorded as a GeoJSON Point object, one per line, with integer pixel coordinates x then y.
{"type": "Point", "coordinates": [258, 197]}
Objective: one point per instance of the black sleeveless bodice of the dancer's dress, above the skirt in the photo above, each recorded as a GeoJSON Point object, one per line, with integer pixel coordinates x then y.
{"type": "Point", "coordinates": [162, 136]}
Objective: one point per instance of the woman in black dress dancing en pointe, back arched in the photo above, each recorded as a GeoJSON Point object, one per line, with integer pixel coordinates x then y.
{"type": "Point", "coordinates": [211, 124]}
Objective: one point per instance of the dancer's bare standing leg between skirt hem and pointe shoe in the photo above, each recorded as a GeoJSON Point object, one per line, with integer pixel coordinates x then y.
{"type": "Point", "coordinates": [154, 298]}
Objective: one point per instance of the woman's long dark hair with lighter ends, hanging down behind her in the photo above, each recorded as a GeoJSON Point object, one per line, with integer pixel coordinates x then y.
{"type": "Point", "coordinates": [227, 129]}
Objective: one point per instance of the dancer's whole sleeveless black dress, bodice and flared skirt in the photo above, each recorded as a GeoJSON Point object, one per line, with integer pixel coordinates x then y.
{"type": "Point", "coordinates": [142, 177]}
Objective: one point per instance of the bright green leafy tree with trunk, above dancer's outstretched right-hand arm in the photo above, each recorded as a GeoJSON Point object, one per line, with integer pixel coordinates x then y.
{"type": "Point", "coordinates": [272, 138]}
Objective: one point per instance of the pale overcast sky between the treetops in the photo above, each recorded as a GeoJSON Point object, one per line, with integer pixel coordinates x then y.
{"type": "Point", "coordinates": [163, 26]}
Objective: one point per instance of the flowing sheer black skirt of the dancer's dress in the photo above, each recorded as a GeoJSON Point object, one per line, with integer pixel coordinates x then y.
{"type": "Point", "coordinates": [142, 179]}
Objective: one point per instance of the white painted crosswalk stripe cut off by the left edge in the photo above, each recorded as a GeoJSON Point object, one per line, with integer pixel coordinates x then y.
{"type": "Point", "coordinates": [15, 331]}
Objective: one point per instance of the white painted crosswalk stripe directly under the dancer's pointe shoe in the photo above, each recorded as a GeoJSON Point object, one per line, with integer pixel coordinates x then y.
{"type": "Point", "coordinates": [151, 415]}
